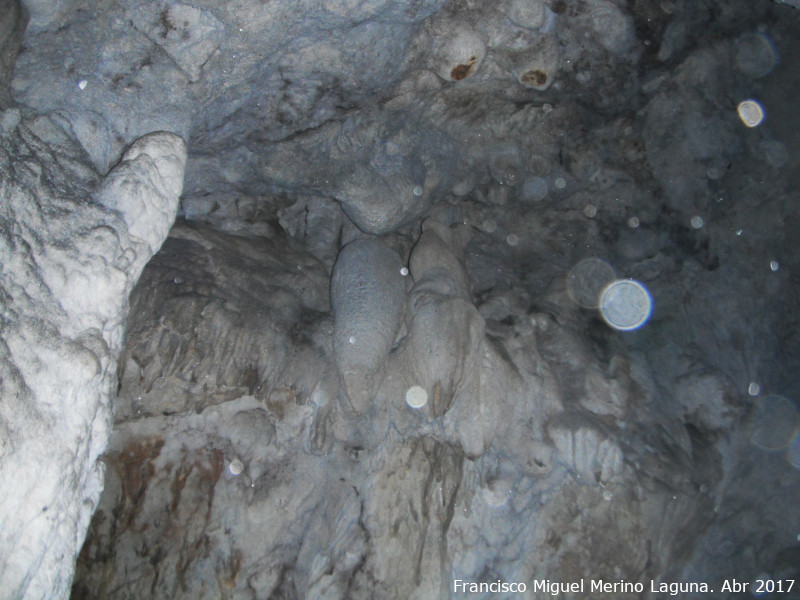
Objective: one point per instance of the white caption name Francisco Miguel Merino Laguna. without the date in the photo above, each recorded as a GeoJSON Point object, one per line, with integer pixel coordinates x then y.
{"type": "Point", "coordinates": [554, 588]}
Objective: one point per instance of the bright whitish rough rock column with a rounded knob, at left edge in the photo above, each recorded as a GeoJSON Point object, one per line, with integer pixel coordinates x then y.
{"type": "Point", "coordinates": [71, 249]}
